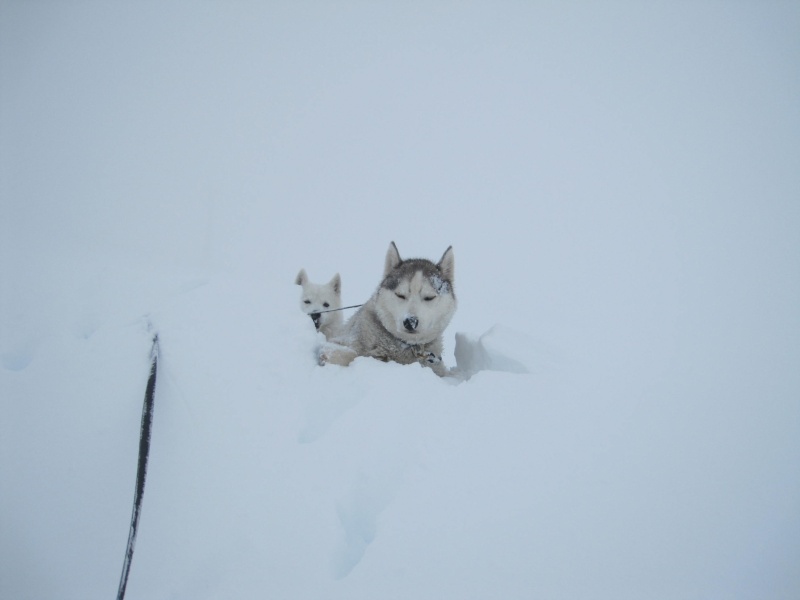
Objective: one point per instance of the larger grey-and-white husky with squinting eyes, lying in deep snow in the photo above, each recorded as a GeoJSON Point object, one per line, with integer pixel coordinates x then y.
{"type": "Point", "coordinates": [404, 319]}
